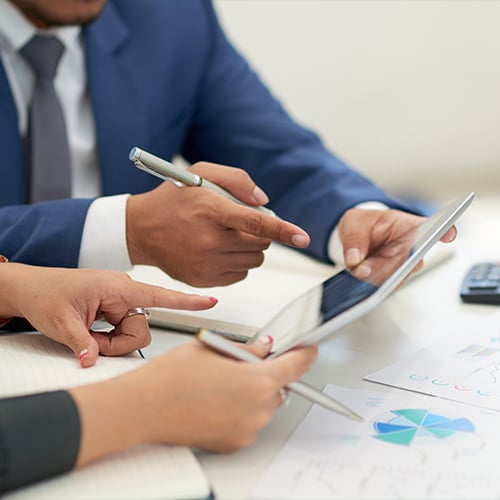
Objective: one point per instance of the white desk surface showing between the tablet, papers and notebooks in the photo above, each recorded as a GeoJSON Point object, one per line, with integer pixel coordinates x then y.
{"type": "Point", "coordinates": [424, 310]}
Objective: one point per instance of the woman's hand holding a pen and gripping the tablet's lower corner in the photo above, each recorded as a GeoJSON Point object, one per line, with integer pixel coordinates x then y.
{"type": "Point", "coordinates": [220, 403]}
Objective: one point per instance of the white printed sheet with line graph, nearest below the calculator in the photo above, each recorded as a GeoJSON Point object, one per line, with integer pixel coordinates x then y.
{"type": "Point", "coordinates": [464, 367]}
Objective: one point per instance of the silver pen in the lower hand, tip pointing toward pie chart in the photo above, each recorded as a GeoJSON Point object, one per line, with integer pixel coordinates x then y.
{"type": "Point", "coordinates": [219, 343]}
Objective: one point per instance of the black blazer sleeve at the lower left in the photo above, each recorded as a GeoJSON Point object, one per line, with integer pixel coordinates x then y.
{"type": "Point", "coordinates": [39, 437]}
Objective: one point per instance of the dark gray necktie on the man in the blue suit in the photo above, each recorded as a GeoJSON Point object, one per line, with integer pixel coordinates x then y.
{"type": "Point", "coordinates": [48, 158]}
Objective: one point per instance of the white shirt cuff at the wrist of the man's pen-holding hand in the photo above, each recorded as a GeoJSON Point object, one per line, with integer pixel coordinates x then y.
{"type": "Point", "coordinates": [104, 238]}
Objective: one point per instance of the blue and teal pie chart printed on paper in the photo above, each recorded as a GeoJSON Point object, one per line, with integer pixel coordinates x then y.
{"type": "Point", "coordinates": [405, 425]}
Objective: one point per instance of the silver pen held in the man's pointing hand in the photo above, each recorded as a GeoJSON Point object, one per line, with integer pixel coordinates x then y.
{"type": "Point", "coordinates": [180, 176]}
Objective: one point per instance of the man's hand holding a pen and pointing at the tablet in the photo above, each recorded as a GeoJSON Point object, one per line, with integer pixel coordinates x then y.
{"type": "Point", "coordinates": [200, 237]}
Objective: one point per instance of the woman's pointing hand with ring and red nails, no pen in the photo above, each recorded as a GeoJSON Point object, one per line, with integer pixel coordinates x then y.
{"type": "Point", "coordinates": [63, 303]}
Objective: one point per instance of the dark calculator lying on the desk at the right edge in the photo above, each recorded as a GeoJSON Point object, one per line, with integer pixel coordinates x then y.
{"type": "Point", "coordinates": [481, 284]}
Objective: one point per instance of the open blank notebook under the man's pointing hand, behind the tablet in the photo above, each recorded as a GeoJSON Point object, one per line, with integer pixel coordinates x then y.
{"type": "Point", "coordinates": [246, 306]}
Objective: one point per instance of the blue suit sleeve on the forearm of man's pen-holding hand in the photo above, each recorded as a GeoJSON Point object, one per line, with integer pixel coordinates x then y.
{"type": "Point", "coordinates": [45, 234]}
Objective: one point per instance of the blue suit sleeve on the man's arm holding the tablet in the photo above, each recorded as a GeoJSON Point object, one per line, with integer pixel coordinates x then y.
{"type": "Point", "coordinates": [240, 123]}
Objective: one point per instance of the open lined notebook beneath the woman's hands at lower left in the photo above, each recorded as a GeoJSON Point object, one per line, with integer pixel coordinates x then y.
{"type": "Point", "coordinates": [33, 363]}
